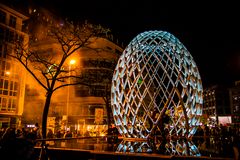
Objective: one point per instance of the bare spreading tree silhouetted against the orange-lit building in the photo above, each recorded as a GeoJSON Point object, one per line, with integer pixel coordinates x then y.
{"type": "Point", "coordinates": [50, 68]}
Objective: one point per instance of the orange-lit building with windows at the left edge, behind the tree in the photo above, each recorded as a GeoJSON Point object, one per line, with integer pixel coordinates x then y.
{"type": "Point", "coordinates": [12, 75]}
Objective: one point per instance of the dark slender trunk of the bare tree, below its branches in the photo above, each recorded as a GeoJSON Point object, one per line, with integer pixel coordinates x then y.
{"type": "Point", "coordinates": [45, 114]}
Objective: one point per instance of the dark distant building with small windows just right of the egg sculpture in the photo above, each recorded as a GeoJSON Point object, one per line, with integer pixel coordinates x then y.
{"type": "Point", "coordinates": [216, 101]}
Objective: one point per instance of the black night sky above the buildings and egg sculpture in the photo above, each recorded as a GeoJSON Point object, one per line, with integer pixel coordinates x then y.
{"type": "Point", "coordinates": [210, 31]}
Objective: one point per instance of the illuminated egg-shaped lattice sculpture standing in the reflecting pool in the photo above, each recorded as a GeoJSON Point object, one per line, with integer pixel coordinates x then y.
{"type": "Point", "coordinates": [156, 86]}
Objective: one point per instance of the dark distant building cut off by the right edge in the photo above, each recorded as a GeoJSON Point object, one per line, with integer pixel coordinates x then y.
{"type": "Point", "coordinates": [234, 94]}
